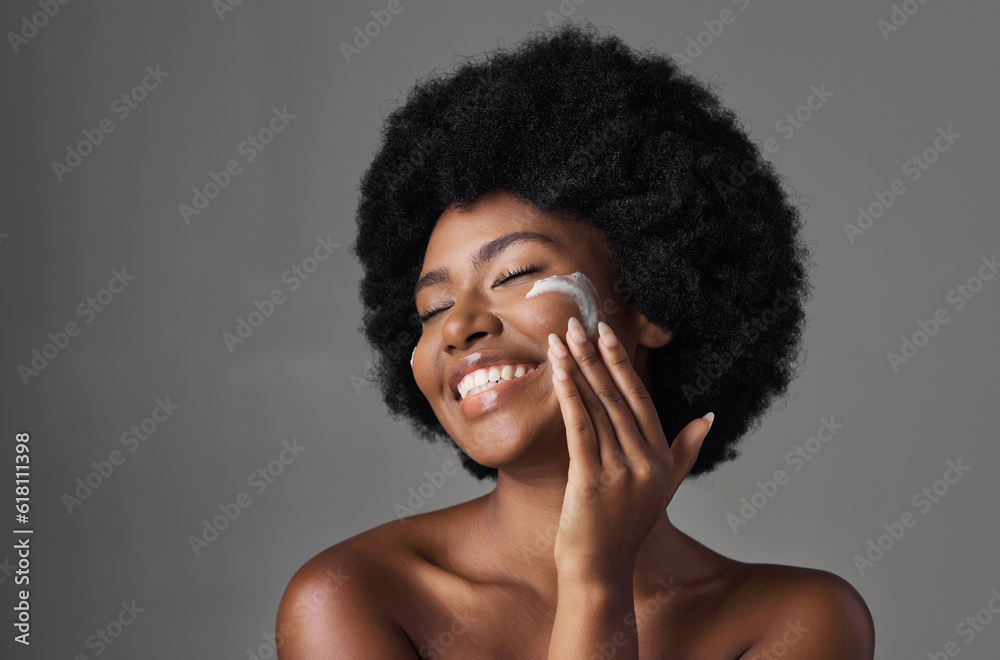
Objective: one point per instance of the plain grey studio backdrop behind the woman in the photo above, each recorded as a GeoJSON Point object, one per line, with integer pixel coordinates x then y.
{"type": "Point", "coordinates": [301, 374]}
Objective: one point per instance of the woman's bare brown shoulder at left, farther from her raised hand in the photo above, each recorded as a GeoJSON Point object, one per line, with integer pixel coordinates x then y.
{"type": "Point", "coordinates": [339, 602]}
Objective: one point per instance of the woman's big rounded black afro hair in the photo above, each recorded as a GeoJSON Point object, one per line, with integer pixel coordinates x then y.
{"type": "Point", "coordinates": [705, 239]}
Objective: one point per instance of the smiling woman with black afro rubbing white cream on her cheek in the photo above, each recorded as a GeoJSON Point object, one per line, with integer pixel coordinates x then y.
{"type": "Point", "coordinates": [574, 261]}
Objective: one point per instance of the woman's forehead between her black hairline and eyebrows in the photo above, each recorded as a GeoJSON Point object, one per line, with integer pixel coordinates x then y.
{"type": "Point", "coordinates": [459, 232]}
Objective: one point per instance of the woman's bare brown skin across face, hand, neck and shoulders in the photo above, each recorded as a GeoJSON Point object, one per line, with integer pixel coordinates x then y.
{"type": "Point", "coordinates": [483, 579]}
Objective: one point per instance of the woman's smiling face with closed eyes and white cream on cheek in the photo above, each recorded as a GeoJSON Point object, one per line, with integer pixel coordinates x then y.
{"type": "Point", "coordinates": [477, 316]}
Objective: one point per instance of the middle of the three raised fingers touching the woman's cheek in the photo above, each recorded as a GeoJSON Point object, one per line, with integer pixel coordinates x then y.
{"type": "Point", "coordinates": [626, 434]}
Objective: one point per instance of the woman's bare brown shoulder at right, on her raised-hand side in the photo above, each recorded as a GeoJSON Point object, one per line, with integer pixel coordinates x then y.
{"type": "Point", "coordinates": [804, 613]}
